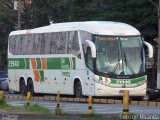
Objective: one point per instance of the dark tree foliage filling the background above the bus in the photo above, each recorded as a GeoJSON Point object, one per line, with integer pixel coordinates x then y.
{"type": "Point", "coordinates": [142, 14]}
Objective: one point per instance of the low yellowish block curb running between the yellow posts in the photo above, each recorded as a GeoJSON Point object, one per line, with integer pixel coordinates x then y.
{"type": "Point", "coordinates": [84, 100]}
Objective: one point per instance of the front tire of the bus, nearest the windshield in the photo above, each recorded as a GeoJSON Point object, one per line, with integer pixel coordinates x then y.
{"type": "Point", "coordinates": [78, 90]}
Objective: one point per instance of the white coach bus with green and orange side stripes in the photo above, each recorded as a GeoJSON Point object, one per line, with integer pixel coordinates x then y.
{"type": "Point", "coordinates": [98, 58]}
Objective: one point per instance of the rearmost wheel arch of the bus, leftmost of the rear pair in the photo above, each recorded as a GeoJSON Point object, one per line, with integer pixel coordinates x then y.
{"type": "Point", "coordinates": [22, 86]}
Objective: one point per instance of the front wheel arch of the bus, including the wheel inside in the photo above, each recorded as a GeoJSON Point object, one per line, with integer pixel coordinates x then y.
{"type": "Point", "coordinates": [78, 88]}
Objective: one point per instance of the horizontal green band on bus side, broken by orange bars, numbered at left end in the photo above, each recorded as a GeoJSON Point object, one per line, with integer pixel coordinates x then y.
{"type": "Point", "coordinates": [64, 63]}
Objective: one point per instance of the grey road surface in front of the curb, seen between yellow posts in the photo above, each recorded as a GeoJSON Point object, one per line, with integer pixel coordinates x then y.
{"type": "Point", "coordinates": [82, 108]}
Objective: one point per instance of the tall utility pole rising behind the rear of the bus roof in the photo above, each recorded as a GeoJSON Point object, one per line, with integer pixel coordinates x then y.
{"type": "Point", "coordinates": [19, 14]}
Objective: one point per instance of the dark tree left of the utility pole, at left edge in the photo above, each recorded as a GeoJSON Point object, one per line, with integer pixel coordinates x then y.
{"type": "Point", "coordinates": [7, 23]}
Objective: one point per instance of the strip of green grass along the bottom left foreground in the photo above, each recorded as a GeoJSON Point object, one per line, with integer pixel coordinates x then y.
{"type": "Point", "coordinates": [38, 109]}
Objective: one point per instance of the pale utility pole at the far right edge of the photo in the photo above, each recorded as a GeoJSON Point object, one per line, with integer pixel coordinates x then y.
{"type": "Point", "coordinates": [158, 62]}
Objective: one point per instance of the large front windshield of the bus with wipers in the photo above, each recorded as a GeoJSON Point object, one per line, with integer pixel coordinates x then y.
{"type": "Point", "coordinates": [119, 55]}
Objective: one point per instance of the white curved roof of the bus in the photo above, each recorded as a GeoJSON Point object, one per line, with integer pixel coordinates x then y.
{"type": "Point", "coordinates": [94, 27]}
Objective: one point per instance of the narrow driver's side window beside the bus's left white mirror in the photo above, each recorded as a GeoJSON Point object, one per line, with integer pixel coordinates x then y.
{"type": "Point", "coordinates": [89, 60]}
